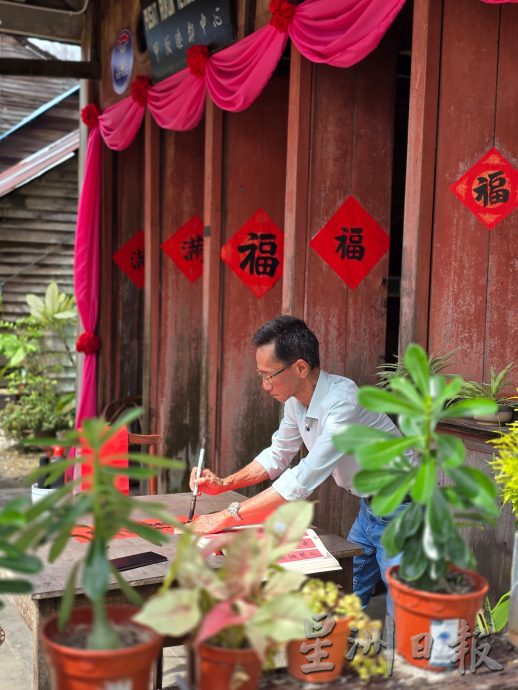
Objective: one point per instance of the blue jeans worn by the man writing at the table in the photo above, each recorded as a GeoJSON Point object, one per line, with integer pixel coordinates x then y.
{"type": "Point", "coordinates": [367, 531]}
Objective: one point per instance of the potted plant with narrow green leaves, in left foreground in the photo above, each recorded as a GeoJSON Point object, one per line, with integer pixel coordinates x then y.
{"type": "Point", "coordinates": [98, 645]}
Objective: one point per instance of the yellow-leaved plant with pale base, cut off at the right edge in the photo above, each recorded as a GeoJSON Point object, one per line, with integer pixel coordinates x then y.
{"type": "Point", "coordinates": [505, 466]}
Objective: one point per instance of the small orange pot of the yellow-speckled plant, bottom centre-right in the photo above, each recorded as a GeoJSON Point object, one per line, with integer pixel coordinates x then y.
{"type": "Point", "coordinates": [336, 652]}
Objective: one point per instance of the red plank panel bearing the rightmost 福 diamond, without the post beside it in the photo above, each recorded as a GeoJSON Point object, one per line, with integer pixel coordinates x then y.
{"type": "Point", "coordinates": [473, 295]}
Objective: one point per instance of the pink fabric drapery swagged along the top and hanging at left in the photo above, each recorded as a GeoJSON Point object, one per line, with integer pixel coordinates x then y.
{"type": "Point", "coordinates": [336, 32]}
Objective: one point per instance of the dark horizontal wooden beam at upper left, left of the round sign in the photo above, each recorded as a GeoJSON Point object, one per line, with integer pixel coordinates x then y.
{"type": "Point", "coordinates": [20, 67]}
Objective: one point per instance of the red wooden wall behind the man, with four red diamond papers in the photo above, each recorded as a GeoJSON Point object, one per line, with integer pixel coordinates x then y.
{"type": "Point", "coordinates": [314, 136]}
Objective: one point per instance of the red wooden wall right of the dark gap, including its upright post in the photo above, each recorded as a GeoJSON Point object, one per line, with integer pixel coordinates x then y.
{"type": "Point", "coordinates": [459, 280]}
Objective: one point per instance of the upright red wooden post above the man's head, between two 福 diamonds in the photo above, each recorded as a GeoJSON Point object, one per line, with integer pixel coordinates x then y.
{"type": "Point", "coordinates": [297, 176]}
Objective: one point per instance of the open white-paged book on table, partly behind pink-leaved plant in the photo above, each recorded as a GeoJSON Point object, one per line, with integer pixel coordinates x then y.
{"type": "Point", "coordinates": [309, 557]}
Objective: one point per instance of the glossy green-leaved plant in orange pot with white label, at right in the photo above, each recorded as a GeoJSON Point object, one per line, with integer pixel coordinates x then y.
{"type": "Point", "coordinates": [434, 587]}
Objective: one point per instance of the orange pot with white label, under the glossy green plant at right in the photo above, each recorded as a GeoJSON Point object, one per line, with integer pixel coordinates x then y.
{"type": "Point", "coordinates": [417, 612]}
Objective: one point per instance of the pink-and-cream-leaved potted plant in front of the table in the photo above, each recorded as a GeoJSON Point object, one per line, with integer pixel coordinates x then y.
{"type": "Point", "coordinates": [238, 613]}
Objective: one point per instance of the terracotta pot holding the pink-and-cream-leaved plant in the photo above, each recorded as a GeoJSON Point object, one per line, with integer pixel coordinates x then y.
{"type": "Point", "coordinates": [216, 667]}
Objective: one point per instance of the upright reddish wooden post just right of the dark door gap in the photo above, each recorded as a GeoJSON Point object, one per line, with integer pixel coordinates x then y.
{"type": "Point", "coordinates": [420, 174]}
